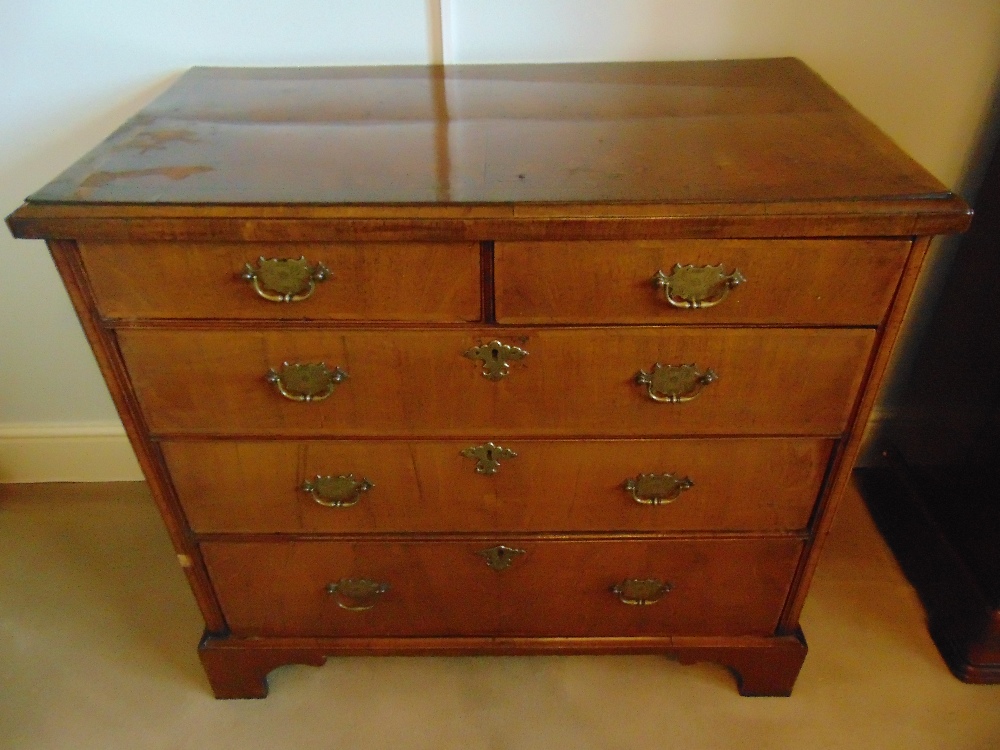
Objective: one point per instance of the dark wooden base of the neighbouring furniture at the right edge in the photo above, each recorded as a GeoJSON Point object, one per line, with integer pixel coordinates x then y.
{"type": "Point", "coordinates": [956, 610]}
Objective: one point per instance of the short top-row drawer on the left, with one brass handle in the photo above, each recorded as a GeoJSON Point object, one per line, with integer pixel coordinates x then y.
{"type": "Point", "coordinates": [365, 281]}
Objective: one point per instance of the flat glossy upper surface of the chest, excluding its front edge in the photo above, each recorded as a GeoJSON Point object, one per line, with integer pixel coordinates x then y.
{"type": "Point", "coordinates": [730, 131]}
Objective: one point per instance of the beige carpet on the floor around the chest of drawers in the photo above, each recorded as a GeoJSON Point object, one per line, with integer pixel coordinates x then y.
{"type": "Point", "coordinates": [98, 640]}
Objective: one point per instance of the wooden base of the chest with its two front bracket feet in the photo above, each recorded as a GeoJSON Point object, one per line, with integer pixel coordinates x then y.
{"type": "Point", "coordinates": [762, 666]}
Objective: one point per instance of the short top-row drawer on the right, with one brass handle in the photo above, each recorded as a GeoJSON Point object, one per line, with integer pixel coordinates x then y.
{"type": "Point", "coordinates": [798, 282]}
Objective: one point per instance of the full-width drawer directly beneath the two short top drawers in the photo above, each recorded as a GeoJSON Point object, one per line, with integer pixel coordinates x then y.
{"type": "Point", "coordinates": [571, 382]}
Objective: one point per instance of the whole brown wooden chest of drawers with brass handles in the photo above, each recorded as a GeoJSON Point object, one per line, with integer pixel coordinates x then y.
{"type": "Point", "coordinates": [576, 358]}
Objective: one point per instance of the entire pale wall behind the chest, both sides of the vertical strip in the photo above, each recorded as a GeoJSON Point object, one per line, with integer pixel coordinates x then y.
{"type": "Point", "coordinates": [70, 71]}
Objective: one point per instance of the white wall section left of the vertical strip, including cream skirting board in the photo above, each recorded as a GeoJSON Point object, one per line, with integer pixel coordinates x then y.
{"type": "Point", "coordinates": [70, 72]}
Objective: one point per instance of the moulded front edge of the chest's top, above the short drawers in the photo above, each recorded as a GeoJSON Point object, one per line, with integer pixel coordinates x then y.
{"type": "Point", "coordinates": [276, 223]}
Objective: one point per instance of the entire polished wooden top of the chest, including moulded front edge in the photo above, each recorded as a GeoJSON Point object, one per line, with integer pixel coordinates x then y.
{"type": "Point", "coordinates": [745, 148]}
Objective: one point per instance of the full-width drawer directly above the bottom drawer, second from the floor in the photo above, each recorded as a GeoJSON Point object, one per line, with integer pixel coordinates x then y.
{"type": "Point", "coordinates": [429, 486]}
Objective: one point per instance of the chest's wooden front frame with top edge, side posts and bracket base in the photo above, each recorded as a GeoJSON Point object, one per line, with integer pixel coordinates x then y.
{"type": "Point", "coordinates": [911, 209]}
